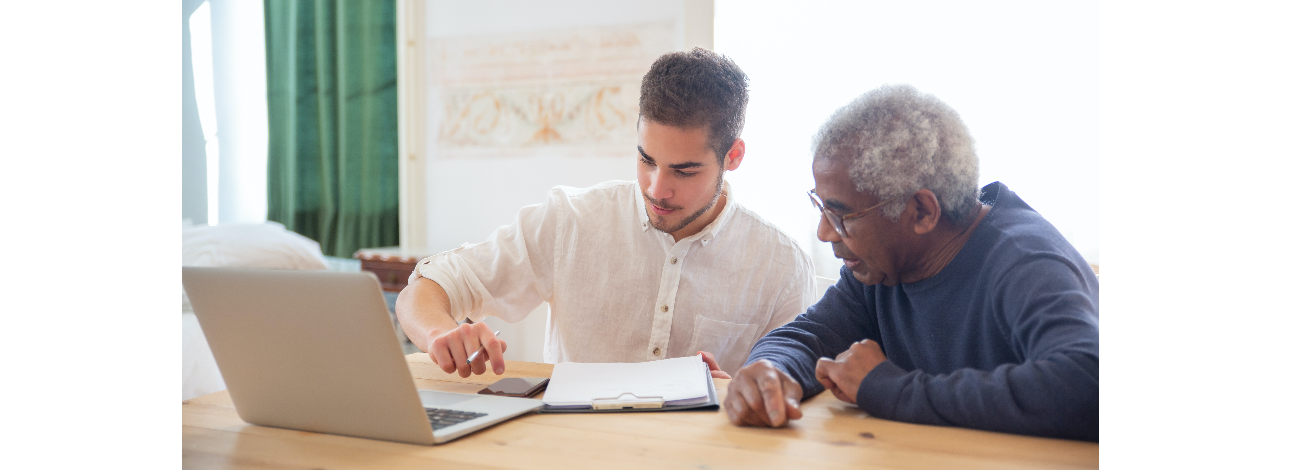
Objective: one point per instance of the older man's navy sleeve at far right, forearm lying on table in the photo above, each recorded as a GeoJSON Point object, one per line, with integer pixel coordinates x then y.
{"type": "Point", "coordinates": [1054, 325]}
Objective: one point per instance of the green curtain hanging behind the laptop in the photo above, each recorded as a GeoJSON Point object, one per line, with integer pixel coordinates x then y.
{"type": "Point", "coordinates": [333, 101]}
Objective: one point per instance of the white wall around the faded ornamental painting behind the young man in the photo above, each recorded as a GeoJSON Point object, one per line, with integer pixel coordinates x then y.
{"type": "Point", "coordinates": [469, 199]}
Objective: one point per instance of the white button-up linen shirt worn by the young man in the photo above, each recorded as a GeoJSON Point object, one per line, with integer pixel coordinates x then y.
{"type": "Point", "coordinates": [621, 290]}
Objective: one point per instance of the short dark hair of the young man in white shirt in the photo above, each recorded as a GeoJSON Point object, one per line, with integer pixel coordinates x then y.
{"type": "Point", "coordinates": [697, 89]}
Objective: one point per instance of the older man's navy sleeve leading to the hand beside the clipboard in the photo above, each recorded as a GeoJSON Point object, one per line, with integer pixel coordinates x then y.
{"type": "Point", "coordinates": [827, 329]}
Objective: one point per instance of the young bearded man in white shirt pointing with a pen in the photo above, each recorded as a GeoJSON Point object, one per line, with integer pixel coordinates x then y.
{"type": "Point", "coordinates": [668, 267]}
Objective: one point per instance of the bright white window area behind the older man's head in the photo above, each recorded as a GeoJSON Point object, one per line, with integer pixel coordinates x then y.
{"type": "Point", "coordinates": [1024, 76]}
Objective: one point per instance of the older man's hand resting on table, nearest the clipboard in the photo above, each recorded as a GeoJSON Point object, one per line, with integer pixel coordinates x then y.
{"type": "Point", "coordinates": [762, 395]}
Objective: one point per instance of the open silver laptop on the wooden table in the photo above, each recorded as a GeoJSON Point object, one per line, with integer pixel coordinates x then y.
{"type": "Point", "coordinates": [315, 351]}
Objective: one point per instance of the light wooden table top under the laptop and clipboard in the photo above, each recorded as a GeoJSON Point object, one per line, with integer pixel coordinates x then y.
{"type": "Point", "coordinates": [831, 436]}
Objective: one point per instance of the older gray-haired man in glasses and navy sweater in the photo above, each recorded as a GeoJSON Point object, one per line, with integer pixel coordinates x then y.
{"type": "Point", "coordinates": [955, 307]}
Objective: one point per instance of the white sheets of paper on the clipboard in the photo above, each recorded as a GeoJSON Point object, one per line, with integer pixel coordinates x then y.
{"type": "Point", "coordinates": [678, 382]}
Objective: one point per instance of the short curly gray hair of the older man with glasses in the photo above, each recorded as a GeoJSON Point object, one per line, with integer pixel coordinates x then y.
{"type": "Point", "coordinates": [903, 142]}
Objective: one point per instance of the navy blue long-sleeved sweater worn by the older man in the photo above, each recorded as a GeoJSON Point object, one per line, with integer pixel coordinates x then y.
{"type": "Point", "coordinates": [1006, 338]}
